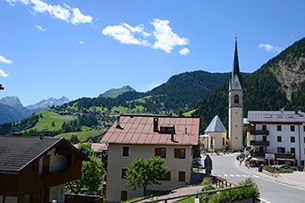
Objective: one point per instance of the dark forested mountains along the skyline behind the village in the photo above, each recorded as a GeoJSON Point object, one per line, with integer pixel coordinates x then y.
{"type": "Point", "coordinates": [280, 82]}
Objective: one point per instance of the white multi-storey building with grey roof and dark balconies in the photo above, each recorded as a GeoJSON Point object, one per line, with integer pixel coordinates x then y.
{"type": "Point", "coordinates": [281, 133]}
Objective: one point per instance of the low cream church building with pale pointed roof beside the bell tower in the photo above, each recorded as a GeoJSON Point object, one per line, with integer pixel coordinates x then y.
{"type": "Point", "coordinates": [215, 137]}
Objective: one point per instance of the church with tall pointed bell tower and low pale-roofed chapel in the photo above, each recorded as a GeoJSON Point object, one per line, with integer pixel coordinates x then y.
{"type": "Point", "coordinates": [215, 137]}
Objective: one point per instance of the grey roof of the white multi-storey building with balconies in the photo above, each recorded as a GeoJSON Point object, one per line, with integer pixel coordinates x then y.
{"type": "Point", "coordinates": [276, 116]}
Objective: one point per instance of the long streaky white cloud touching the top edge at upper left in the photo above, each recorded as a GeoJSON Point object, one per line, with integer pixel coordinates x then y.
{"type": "Point", "coordinates": [66, 13]}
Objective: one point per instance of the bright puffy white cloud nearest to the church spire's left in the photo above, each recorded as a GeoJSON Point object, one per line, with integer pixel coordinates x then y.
{"type": "Point", "coordinates": [166, 38]}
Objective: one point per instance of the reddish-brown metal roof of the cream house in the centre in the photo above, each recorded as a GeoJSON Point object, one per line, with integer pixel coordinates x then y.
{"type": "Point", "coordinates": [140, 130]}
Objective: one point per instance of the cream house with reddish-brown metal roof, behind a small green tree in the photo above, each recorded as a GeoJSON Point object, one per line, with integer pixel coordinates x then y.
{"type": "Point", "coordinates": [131, 137]}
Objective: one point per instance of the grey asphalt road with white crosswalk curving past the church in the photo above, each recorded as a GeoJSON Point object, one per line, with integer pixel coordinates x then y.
{"type": "Point", "coordinates": [271, 189]}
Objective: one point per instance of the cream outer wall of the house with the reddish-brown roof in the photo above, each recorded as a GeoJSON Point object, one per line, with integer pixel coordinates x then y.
{"type": "Point", "coordinates": [115, 184]}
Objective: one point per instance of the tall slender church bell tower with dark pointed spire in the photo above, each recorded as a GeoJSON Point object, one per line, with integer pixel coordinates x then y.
{"type": "Point", "coordinates": [235, 105]}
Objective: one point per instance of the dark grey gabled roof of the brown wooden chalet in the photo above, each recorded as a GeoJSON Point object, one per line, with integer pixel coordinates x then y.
{"type": "Point", "coordinates": [17, 152]}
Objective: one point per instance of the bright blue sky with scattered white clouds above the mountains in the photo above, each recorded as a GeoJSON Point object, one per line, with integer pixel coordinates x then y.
{"type": "Point", "coordinates": [82, 48]}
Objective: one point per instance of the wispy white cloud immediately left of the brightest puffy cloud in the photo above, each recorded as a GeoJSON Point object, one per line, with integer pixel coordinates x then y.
{"type": "Point", "coordinates": [126, 34]}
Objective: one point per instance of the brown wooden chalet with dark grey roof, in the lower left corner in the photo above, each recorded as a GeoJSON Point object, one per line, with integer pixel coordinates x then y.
{"type": "Point", "coordinates": [35, 169]}
